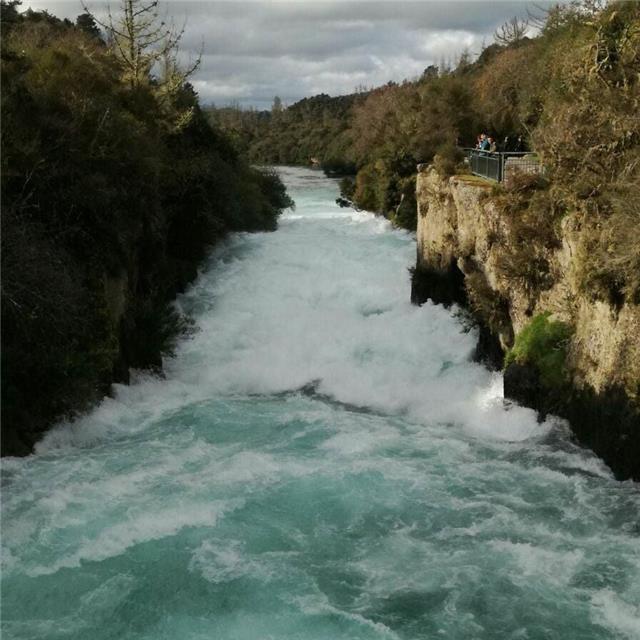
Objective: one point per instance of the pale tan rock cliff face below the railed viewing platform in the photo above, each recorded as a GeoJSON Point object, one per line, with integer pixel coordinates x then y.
{"type": "Point", "coordinates": [470, 251]}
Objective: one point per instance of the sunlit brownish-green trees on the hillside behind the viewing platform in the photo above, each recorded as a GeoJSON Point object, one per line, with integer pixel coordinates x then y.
{"type": "Point", "coordinates": [571, 92]}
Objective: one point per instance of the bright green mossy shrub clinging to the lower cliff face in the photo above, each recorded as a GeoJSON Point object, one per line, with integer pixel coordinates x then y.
{"type": "Point", "coordinates": [543, 344]}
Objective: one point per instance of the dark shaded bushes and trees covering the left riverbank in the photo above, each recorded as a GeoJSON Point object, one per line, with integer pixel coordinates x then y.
{"type": "Point", "coordinates": [114, 184]}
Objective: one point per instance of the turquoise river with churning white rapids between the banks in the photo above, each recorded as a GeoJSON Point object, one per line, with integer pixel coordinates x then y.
{"type": "Point", "coordinates": [322, 461]}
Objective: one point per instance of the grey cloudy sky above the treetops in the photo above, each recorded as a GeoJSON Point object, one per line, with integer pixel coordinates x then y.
{"type": "Point", "coordinates": [255, 50]}
